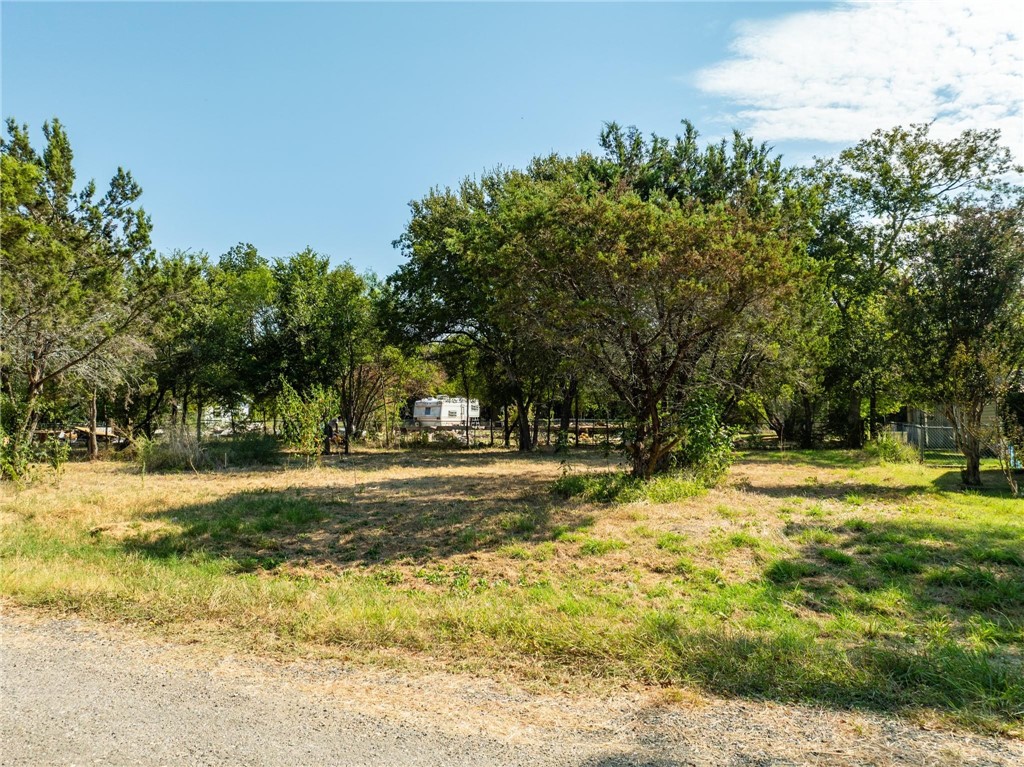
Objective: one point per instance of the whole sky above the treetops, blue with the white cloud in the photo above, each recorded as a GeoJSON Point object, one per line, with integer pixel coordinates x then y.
{"type": "Point", "coordinates": [290, 125]}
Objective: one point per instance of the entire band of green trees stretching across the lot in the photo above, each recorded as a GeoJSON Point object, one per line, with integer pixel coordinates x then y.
{"type": "Point", "coordinates": [687, 289]}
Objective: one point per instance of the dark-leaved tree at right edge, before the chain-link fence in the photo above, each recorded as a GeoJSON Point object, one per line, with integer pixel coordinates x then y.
{"type": "Point", "coordinates": [961, 318]}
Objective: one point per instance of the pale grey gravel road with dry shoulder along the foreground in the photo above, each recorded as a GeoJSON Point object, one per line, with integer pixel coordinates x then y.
{"type": "Point", "coordinates": [79, 694]}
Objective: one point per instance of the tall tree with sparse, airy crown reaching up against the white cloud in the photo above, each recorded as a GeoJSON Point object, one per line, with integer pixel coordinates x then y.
{"type": "Point", "coordinates": [878, 195]}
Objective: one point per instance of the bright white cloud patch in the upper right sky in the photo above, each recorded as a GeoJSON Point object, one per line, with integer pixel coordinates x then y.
{"type": "Point", "coordinates": [838, 75]}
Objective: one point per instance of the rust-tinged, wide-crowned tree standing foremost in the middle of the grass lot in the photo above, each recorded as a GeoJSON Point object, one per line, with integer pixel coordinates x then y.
{"type": "Point", "coordinates": [649, 292]}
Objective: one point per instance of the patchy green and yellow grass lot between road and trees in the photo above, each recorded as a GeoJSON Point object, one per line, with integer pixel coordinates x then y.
{"type": "Point", "coordinates": [818, 577]}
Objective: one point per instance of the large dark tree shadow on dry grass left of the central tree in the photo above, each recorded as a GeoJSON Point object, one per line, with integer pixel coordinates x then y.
{"type": "Point", "coordinates": [417, 520]}
